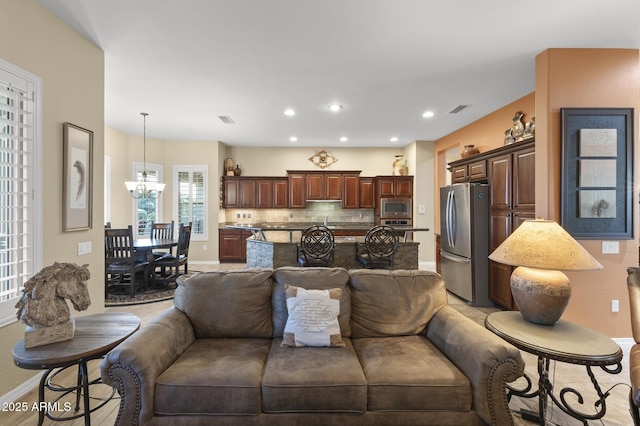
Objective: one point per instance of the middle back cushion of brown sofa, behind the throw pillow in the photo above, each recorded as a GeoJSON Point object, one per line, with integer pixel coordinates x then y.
{"type": "Point", "coordinates": [310, 279]}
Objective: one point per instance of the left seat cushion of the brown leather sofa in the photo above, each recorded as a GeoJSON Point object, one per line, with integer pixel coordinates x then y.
{"type": "Point", "coordinates": [214, 376]}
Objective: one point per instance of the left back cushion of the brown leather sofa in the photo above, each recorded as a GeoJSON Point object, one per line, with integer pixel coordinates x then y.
{"type": "Point", "coordinates": [228, 303]}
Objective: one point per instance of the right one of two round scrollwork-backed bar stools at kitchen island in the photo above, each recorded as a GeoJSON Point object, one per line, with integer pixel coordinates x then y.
{"type": "Point", "coordinates": [379, 247]}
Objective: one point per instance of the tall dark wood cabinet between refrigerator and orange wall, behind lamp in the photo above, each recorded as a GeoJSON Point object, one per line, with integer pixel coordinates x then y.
{"type": "Point", "coordinates": [511, 178]}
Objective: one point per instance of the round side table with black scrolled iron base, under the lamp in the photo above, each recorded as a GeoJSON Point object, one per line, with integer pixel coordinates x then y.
{"type": "Point", "coordinates": [565, 342]}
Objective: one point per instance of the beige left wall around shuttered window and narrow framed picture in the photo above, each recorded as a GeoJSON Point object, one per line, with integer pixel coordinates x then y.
{"type": "Point", "coordinates": [72, 72]}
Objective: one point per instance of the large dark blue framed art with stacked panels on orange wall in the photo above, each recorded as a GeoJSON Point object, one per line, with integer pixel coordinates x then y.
{"type": "Point", "coordinates": [597, 172]}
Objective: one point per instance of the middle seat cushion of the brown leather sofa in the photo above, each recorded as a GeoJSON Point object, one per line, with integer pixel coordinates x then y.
{"type": "Point", "coordinates": [313, 380]}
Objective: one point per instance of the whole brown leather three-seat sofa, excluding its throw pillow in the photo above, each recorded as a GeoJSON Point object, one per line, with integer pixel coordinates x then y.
{"type": "Point", "coordinates": [216, 356]}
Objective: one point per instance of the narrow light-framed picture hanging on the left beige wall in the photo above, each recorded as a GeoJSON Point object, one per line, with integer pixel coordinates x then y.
{"type": "Point", "coordinates": [78, 178]}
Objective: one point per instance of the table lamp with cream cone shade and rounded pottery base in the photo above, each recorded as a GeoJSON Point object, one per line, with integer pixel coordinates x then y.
{"type": "Point", "coordinates": [540, 249]}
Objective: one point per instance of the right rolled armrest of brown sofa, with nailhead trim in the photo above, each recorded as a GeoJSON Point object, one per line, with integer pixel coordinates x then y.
{"type": "Point", "coordinates": [488, 361]}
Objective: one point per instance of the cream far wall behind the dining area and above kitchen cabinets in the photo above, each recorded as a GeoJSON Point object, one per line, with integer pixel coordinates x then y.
{"type": "Point", "coordinates": [124, 148]}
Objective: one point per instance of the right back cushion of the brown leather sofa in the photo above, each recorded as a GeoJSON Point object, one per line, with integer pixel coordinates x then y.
{"type": "Point", "coordinates": [394, 303]}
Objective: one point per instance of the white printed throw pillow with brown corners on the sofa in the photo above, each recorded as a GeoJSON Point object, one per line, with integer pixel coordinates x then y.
{"type": "Point", "coordinates": [313, 317]}
